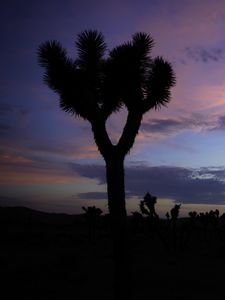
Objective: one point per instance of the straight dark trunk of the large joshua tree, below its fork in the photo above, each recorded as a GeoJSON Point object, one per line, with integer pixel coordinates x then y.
{"type": "Point", "coordinates": [117, 209]}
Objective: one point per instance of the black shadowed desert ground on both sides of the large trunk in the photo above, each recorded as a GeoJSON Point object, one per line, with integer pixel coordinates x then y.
{"type": "Point", "coordinates": [52, 256]}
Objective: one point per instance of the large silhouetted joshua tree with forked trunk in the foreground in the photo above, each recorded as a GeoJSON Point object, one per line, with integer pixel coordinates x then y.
{"type": "Point", "coordinates": [95, 85]}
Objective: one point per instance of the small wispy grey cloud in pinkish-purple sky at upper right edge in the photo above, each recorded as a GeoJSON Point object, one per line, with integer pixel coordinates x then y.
{"type": "Point", "coordinates": [199, 54]}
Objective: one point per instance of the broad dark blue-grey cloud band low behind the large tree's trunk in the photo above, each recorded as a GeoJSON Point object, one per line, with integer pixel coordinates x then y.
{"type": "Point", "coordinates": [205, 185]}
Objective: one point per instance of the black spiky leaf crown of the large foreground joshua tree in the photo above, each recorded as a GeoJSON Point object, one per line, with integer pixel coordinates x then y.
{"type": "Point", "coordinates": [95, 85]}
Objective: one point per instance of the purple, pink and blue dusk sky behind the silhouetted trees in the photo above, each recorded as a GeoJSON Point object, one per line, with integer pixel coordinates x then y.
{"type": "Point", "coordinates": [48, 159]}
